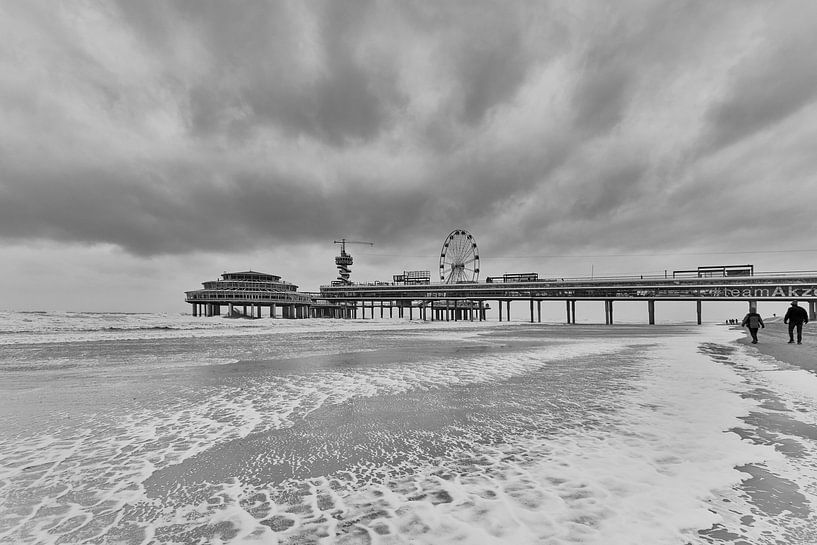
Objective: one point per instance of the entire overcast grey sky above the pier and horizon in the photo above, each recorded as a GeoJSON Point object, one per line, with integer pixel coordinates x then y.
{"type": "Point", "coordinates": [148, 146]}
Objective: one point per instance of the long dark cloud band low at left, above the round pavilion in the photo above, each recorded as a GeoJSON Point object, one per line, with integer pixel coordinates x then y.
{"type": "Point", "coordinates": [147, 213]}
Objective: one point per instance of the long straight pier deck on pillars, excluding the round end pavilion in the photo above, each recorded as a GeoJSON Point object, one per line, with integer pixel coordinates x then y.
{"type": "Point", "coordinates": [469, 301]}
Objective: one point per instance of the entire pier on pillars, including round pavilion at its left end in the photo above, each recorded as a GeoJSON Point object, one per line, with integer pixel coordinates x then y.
{"type": "Point", "coordinates": [252, 294]}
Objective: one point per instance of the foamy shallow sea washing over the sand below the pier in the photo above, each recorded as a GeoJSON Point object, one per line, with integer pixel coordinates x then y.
{"type": "Point", "coordinates": [171, 429]}
